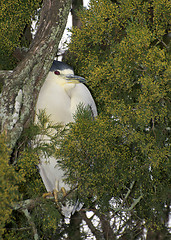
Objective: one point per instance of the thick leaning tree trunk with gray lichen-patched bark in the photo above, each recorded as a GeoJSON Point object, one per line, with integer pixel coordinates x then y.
{"type": "Point", "coordinates": [22, 85]}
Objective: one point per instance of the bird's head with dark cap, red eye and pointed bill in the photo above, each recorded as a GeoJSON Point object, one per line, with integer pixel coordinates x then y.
{"type": "Point", "coordinates": [63, 74]}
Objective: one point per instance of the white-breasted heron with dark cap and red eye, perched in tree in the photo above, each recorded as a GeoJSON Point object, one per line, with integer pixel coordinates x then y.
{"type": "Point", "coordinates": [61, 94]}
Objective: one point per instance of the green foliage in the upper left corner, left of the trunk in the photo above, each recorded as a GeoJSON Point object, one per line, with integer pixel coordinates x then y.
{"type": "Point", "coordinates": [14, 15]}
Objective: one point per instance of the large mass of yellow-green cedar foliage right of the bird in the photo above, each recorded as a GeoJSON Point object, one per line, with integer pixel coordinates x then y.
{"type": "Point", "coordinates": [120, 49]}
